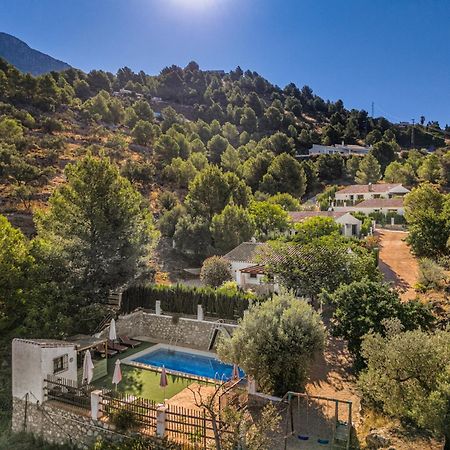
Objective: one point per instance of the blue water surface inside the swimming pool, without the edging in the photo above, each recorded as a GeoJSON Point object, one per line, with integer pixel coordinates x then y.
{"type": "Point", "coordinates": [189, 363]}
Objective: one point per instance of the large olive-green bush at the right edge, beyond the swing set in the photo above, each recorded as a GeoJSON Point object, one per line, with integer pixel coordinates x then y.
{"type": "Point", "coordinates": [408, 376]}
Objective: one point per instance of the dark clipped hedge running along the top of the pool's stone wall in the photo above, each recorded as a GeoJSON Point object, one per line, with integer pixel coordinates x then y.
{"type": "Point", "coordinates": [184, 300]}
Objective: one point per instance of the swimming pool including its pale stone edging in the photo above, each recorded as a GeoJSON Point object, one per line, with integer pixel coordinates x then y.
{"type": "Point", "coordinates": [181, 361]}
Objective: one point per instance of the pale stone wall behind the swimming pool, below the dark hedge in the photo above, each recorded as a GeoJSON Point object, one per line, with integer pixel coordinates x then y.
{"type": "Point", "coordinates": [177, 331]}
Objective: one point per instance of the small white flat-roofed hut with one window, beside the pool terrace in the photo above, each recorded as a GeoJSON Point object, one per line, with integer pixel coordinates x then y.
{"type": "Point", "coordinates": [34, 359]}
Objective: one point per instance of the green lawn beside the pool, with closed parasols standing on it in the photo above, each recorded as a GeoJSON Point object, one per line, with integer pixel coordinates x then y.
{"type": "Point", "coordinates": [141, 382]}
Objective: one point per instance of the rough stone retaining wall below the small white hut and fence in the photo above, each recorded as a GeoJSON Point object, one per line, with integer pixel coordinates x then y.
{"type": "Point", "coordinates": [60, 426]}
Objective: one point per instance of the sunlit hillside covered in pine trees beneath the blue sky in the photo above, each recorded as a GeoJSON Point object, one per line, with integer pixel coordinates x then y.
{"type": "Point", "coordinates": [210, 150]}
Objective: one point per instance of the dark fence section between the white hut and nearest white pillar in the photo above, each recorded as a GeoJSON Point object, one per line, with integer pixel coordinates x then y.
{"type": "Point", "coordinates": [68, 392]}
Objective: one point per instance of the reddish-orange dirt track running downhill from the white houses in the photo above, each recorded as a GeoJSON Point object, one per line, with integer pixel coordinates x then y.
{"type": "Point", "coordinates": [397, 263]}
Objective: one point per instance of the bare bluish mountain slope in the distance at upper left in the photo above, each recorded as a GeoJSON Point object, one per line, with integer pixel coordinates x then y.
{"type": "Point", "coordinates": [27, 59]}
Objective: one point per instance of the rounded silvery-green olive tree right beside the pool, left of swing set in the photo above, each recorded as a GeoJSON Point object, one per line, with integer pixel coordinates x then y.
{"type": "Point", "coordinates": [275, 343]}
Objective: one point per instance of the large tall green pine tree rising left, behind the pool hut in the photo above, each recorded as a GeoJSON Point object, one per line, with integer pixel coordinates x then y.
{"type": "Point", "coordinates": [102, 226]}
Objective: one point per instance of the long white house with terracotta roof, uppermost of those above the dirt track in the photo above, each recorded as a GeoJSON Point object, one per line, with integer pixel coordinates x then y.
{"type": "Point", "coordinates": [351, 195]}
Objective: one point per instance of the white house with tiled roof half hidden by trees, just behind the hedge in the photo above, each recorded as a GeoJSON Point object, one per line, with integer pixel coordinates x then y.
{"type": "Point", "coordinates": [247, 269]}
